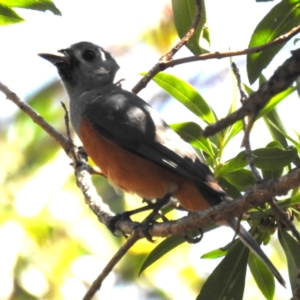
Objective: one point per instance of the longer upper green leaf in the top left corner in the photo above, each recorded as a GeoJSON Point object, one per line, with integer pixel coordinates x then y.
{"type": "Point", "coordinates": [40, 5]}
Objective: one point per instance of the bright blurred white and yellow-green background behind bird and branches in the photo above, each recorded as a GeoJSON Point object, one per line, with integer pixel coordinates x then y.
{"type": "Point", "coordinates": [51, 244]}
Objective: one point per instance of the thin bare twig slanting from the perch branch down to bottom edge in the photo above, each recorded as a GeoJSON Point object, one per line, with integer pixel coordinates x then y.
{"type": "Point", "coordinates": [110, 265]}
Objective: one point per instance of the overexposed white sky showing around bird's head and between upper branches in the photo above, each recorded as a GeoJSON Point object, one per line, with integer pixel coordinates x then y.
{"type": "Point", "coordinates": [118, 22]}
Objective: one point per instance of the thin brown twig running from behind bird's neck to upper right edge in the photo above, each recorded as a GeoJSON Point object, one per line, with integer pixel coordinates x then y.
{"type": "Point", "coordinates": [214, 55]}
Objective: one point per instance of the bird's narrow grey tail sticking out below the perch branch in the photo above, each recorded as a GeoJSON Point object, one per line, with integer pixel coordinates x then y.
{"type": "Point", "coordinates": [252, 244]}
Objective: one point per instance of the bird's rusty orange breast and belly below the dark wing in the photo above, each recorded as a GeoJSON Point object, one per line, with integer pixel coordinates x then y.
{"type": "Point", "coordinates": [136, 174]}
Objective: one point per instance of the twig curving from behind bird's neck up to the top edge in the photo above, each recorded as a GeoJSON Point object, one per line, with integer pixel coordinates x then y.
{"type": "Point", "coordinates": [161, 65]}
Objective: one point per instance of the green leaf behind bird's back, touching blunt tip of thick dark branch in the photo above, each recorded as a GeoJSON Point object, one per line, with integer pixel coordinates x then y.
{"type": "Point", "coordinates": [192, 133]}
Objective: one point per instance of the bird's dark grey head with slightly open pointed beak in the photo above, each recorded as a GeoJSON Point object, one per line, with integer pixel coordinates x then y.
{"type": "Point", "coordinates": [84, 66]}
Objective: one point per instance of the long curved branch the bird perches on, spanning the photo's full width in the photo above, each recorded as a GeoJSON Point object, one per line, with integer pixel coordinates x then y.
{"type": "Point", "coordinates": [256, 196]}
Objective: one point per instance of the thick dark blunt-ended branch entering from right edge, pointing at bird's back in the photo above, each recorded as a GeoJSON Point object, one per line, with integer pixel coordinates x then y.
{"type": "Point", "coordinates": [282, 78]}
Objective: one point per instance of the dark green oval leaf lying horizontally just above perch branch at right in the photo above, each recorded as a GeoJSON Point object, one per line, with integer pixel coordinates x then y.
{"type": "Point", "coordinates": [273, 158]}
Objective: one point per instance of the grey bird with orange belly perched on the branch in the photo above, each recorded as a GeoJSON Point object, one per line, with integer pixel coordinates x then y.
{"type": "Point", "coordinates": [131, 144]}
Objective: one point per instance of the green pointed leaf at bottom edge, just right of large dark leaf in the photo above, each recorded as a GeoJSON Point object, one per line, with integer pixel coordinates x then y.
{"type": "Point", "coordinates": [263, 277]}
